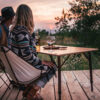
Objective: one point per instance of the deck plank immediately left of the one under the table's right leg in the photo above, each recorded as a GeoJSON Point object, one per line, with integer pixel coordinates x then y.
{"type": "Point", "coordinates": [75, 89]}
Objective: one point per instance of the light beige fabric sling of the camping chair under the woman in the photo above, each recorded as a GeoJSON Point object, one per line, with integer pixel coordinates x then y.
{"type": "Point", "coordinates": [18, 69]}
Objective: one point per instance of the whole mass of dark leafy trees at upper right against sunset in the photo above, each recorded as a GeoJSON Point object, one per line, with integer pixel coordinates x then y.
{"type": "Point", "coordinates": [85, 15]}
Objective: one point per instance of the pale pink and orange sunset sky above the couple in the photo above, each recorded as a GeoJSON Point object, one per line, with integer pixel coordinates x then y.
{"type": "Point", "coordinates": [44, 11]}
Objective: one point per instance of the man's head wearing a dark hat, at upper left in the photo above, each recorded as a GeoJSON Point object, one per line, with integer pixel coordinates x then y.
{"type": "Point", "coordinates": [7, 14]}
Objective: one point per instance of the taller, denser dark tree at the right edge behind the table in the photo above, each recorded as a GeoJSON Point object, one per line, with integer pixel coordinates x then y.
{"type": "Point", "coordinates": [87, 21]}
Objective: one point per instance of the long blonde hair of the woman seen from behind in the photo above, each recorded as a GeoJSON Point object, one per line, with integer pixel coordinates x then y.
{"type": "Point", "coordinates": [24, 17]}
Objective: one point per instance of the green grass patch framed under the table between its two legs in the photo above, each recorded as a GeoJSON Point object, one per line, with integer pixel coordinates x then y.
{"type": "Point", "coordinates": [76, 62]}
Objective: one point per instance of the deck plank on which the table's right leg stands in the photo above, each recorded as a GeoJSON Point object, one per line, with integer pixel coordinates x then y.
{"type": "Point", "coordinates": [85, 83]}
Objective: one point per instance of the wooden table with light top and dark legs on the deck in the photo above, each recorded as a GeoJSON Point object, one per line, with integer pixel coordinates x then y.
{"type": "Point", "coordinates": [68, 51]}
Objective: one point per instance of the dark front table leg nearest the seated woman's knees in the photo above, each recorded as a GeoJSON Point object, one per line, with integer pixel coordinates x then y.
{"type": "Point", "coordinates": [59, 78]}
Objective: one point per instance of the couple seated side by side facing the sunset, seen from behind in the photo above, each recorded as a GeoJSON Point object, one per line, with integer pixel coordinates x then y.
{"type": "Point", "coordinates": [20, 41]}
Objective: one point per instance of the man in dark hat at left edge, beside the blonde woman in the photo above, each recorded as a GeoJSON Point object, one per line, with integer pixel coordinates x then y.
{"type": "Point", "coordinates": [7, 15]}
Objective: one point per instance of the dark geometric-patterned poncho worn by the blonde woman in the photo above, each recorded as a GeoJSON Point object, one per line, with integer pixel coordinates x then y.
{"type": "Point", "coordinates": [24, 46]}
